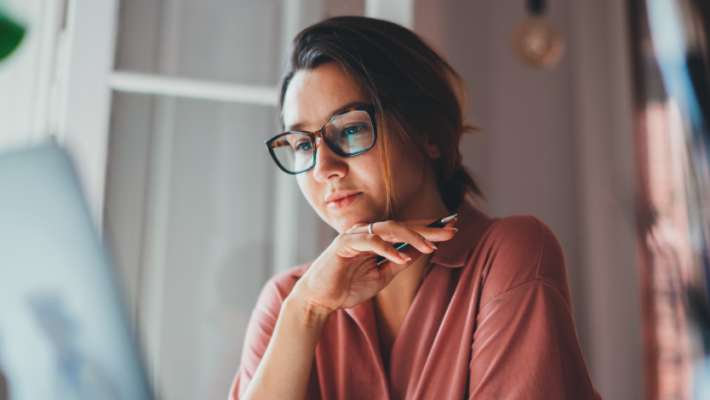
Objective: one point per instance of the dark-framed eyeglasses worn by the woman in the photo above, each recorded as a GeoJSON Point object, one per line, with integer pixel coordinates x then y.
{"type": "Point", "coordinates": [348, 134]}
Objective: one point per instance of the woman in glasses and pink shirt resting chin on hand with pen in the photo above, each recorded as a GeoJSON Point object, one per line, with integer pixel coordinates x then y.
{"type": "Point", "coordinates": [477, 309]}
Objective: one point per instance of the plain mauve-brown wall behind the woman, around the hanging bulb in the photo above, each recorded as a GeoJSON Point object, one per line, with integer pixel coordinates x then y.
{"type": "Point", "coordinates": [557, 145]}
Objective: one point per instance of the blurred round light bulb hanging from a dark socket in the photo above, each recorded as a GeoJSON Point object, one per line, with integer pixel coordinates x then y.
{"type": "Point", "coordinates": [536, 42]}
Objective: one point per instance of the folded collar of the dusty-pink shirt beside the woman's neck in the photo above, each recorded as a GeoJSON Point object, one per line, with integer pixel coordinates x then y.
{"type": "Point", "coordinates": [471, 223]}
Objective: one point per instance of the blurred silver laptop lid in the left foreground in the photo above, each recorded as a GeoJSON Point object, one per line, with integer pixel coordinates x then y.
{"type": "Point", "coordinates": [63, 330]}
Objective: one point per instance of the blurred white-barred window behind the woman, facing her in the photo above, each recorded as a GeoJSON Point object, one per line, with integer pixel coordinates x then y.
{"type": "Point", "coordinates": [193, 204]}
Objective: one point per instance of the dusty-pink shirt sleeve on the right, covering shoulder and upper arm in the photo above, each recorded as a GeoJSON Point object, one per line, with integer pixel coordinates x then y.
{"type": "Point", "coordinates": [525, 343]}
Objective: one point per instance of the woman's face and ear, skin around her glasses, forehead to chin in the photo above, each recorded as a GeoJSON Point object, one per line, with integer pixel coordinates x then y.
{"type": "Point", "coordinates": [345, 191]}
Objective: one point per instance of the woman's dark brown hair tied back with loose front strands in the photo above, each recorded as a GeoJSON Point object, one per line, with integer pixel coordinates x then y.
{"type": "Point", "coordinates": [413, 89]}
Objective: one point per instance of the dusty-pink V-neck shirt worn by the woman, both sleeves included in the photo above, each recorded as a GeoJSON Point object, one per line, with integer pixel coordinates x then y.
{"type": "Point", "coordinates": [491, 320]}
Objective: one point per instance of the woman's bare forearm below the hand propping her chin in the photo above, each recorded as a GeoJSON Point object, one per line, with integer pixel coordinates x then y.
{"type": "Point", "coordinates": [284, 370]}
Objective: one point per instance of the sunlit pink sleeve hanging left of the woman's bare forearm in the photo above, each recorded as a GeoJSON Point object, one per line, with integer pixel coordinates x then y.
{"type": "Point", "coordinates": [259, 330]}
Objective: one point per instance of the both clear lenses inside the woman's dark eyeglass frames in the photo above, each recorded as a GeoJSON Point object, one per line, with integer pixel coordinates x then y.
{"type": "Point", "coordinates": [351, 133]}
